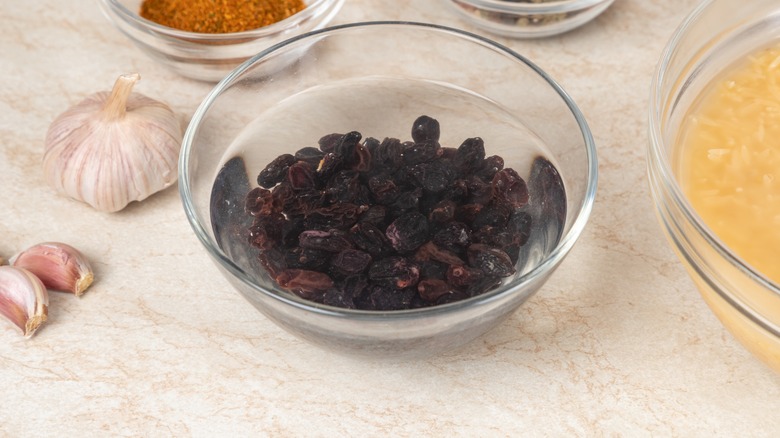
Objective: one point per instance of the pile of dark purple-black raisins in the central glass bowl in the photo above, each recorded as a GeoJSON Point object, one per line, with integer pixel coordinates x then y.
{"type": "Point", "coordinates": [389, 225]}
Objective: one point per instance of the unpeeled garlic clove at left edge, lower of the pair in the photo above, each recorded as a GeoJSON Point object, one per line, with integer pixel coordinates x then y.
{"type": "Point", "coordinates": [24, 300]}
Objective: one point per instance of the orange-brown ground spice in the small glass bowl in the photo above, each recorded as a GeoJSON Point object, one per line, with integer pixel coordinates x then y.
{"type": "Point", "coordinates": [219, 16]}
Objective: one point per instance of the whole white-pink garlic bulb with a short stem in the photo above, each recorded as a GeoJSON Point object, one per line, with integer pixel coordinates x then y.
{"type": "Point", "coordinates": [113, 148]}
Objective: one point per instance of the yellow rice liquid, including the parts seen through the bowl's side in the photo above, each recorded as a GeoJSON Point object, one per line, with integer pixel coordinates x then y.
{"type": "Point", "coordinates": [729, 168]}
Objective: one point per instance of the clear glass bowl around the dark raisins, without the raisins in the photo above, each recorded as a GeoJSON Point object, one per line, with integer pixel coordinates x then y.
{"type": "Point", "coordinates": [376, 78]}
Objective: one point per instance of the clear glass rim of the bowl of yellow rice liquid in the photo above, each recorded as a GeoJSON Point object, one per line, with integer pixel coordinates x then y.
{"type": "Point", "coordinates": [659, 159]}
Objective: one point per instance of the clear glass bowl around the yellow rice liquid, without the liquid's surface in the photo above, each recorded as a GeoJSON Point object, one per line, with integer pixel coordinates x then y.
{"type": "Point", "coordinates": [715, 35]}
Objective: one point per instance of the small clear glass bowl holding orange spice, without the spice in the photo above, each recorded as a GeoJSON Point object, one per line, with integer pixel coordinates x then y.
{"type": "Point", "coordinates": [209, 57]}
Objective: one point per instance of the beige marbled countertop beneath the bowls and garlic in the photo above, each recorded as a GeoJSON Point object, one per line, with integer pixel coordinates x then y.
{"type": "Point", "coordinates": [618, 342]}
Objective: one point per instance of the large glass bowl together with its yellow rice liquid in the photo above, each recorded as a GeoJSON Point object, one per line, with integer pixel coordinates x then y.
{"type": "Point", "coordinates": [713, 162]}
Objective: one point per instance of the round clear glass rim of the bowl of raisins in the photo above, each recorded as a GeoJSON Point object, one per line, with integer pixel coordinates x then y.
{"type": "Point", "coordinates": [547, 265]}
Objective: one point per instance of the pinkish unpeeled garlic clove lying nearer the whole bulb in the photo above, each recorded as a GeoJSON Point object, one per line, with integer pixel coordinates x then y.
{"type": "Point", "coordinates": [58, 265]}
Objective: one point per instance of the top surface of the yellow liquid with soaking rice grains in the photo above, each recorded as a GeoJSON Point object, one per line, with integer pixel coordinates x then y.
{"type": "Point", "coordinates": [730, 161]}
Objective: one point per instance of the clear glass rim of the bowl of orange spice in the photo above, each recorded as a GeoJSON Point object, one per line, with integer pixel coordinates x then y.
{"type": "Point", "coordinates": [292, 21]}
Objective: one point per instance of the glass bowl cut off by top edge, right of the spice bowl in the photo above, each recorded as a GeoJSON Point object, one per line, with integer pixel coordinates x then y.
{"type": "Point", "coordinates": [528, 18]}
